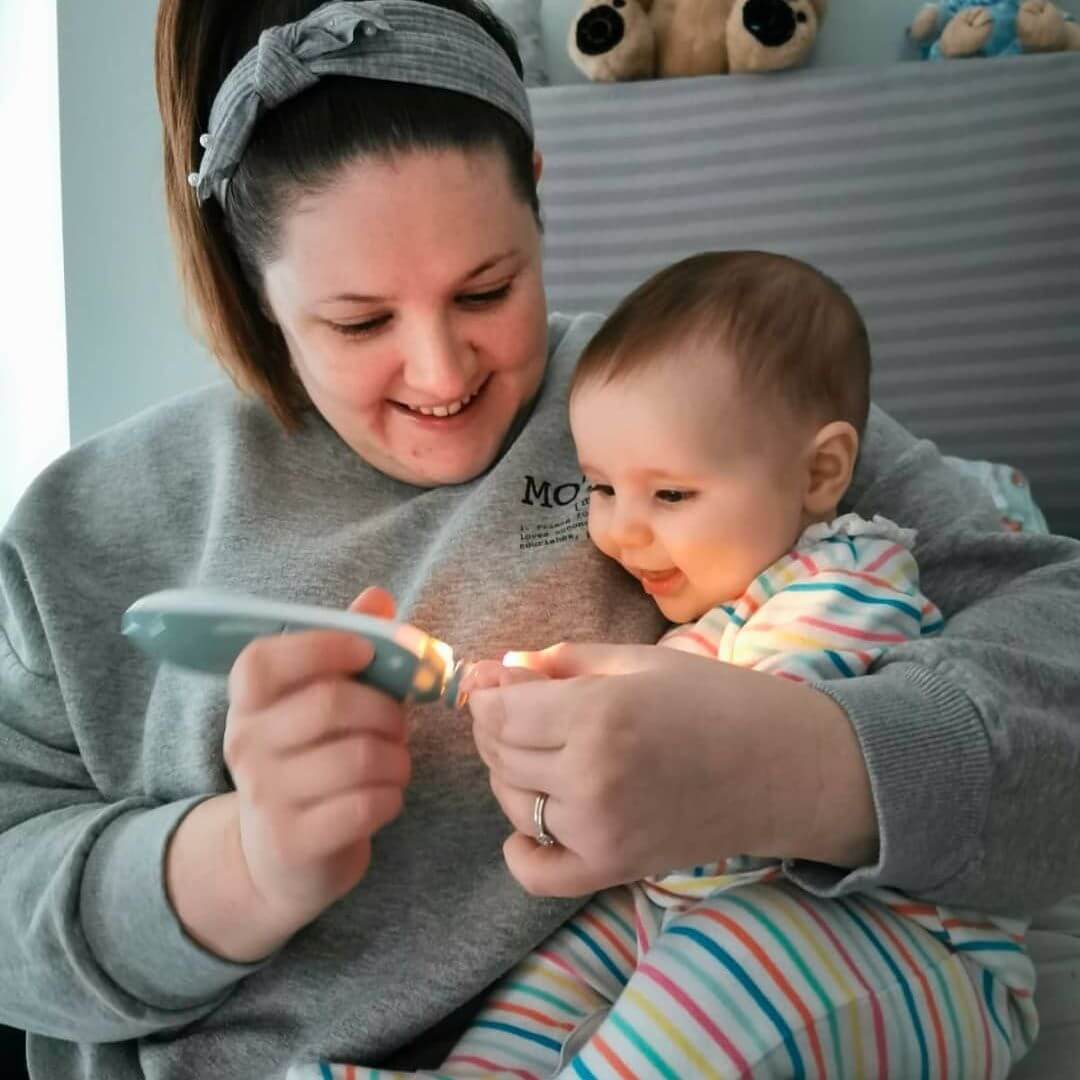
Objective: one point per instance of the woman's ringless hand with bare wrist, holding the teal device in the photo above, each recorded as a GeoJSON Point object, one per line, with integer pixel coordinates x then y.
{"type": "Point", "coordinates": [320, 764]}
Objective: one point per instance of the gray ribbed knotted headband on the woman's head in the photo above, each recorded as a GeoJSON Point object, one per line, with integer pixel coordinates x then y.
{"type": "Point", "coordinates": [394, 40]}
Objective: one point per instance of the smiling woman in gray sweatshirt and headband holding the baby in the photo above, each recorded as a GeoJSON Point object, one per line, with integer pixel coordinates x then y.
{"type": "Point", "coordinates": [201, 880]}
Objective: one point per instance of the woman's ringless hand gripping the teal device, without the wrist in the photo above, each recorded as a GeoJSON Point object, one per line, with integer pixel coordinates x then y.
{"type": "Point", "coordinates": [319, 762]}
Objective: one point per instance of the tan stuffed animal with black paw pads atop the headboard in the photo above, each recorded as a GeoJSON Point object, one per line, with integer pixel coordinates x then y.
{"type": "Point", "coordinates": [618, 40]}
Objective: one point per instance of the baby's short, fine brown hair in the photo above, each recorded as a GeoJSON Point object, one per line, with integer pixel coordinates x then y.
{"type": "Point", "coordinates": [792, 332]}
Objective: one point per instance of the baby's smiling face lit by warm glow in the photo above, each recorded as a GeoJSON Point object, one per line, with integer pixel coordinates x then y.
{"type": "Point", "coordinates": [694, 491]}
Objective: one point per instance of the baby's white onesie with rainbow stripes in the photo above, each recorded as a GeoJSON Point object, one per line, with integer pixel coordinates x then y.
{"type": "Point", "coordinates": [730, 970]}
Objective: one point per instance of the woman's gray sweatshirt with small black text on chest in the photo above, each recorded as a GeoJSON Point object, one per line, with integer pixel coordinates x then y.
{"type": "Point", "coordinates": [973, 739]}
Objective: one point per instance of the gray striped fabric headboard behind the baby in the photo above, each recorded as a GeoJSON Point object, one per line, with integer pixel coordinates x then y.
{"type": "Point", "coordinates": [944, 197]}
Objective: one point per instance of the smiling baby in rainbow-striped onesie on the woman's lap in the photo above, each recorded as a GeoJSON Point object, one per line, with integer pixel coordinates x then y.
{"type": "Point", "coordinates": [718, 416]}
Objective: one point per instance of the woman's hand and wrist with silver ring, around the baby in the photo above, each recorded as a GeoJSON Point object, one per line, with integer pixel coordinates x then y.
{"type": "Point", "coordinates": [656, 760]}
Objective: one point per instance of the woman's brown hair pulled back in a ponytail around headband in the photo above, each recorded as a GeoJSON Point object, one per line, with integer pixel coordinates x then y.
{"type": "Point", "coordinates": [299, 147]}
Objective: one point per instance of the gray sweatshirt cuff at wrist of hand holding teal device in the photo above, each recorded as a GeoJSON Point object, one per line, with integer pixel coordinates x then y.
{"type": "Point", "coordinates": [130, 925]}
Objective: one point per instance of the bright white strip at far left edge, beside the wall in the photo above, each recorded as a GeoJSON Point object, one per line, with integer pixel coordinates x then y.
{"type": "Point", "coordinates": [34, 418]}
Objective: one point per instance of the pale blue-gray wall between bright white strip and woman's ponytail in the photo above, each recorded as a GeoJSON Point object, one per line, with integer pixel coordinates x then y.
{"type": "Point", "coordinates": [128, 342]}
